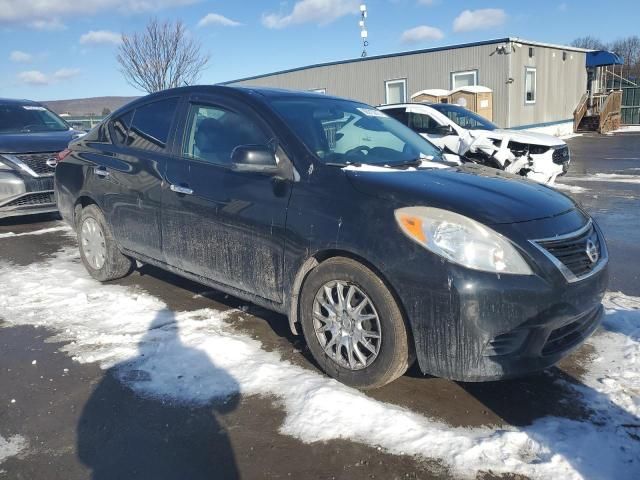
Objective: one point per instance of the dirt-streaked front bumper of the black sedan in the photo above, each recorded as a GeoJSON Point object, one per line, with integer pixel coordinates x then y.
{"type": "Point", "coordinates": [477, 326]}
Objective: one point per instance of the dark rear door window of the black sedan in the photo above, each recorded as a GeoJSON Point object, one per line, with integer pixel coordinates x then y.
{"type": "Point", "coordinates": [151, 124]}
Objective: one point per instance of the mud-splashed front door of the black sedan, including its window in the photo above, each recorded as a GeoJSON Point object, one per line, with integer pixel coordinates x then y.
{"type": "Point", "coordinates": [218, 222]}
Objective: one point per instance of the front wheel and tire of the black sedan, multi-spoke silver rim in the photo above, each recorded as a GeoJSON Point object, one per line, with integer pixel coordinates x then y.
{"type": "Point", "coordinates": [394, 352]}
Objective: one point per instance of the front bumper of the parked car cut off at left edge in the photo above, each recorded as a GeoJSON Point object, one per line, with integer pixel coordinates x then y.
{"type": "Point", "coordinates": [24, 195]}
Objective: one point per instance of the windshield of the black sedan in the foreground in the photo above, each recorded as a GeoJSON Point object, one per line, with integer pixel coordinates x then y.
{"type": "Point", "coordinates": [342, 132]}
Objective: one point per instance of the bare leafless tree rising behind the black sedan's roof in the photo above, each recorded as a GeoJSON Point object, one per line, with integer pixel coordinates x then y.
{"type": "Point", "coordinates": [162, 56]}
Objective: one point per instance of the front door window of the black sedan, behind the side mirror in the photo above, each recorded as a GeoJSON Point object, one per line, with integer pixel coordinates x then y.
{"type": "Point", "coordinates": [213, 133]}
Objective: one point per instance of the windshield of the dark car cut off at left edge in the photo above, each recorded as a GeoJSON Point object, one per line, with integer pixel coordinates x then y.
{"type": "Point", "coordinates": [29, 118]}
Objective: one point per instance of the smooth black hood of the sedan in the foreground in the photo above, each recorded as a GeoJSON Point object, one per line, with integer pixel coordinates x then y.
{"type": "Point", "coordinates": [485, 194]}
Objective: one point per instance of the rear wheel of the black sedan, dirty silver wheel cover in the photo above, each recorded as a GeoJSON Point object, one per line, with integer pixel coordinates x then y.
{"type": "Point", "coordinates": [110, 264]}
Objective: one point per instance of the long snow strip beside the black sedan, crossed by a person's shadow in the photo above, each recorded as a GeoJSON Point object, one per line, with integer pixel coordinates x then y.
{"type": "Point", "coordinates": [196, 357]}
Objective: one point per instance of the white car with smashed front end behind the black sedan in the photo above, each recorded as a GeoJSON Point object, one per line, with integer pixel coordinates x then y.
{"type": "Point", "coordinates": [473, 138]}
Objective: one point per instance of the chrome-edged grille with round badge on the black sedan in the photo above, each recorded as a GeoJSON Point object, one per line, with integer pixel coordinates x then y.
{"type": "Point", "coordinates": [577, 254]}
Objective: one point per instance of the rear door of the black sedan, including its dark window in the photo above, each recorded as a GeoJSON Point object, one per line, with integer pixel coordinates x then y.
{"type": "Point", "coordinates": [132, 176]}
